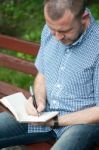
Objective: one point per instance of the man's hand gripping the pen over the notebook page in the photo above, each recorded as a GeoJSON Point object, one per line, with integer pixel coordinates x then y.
{"type": "Point", "coordinates": [31, 110]}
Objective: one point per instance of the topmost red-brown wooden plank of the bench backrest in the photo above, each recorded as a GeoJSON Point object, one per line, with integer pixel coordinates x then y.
{"type": "Point", "coordinates": [18, 45]}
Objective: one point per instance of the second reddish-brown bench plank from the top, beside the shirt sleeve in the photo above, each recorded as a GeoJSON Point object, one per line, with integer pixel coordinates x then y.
{"type": "Point", "coordinates": [17, 64]}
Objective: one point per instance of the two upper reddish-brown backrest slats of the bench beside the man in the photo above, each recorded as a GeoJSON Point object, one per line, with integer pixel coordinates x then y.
{"type": "Point", "coordinates": [21, 46]}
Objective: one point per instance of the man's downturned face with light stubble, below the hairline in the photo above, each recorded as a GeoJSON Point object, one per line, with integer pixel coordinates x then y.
{"type": "Point", "coordinates": [66, 29]}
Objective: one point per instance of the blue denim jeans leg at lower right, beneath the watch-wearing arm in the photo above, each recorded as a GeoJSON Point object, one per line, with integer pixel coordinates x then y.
{"type": "Point", "coordinates": [78, 137]}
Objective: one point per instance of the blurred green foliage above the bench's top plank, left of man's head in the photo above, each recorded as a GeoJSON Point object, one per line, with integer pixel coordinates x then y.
{"type": "Point", "coordinates": [22, 19]}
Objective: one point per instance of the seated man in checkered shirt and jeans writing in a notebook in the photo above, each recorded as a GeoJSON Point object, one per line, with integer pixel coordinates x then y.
{"type": "Point", "coordinates": [67, 81]}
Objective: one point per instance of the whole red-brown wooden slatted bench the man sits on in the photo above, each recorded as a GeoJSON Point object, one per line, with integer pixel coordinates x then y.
{"type": "Point", "coordinates": [21, 65]}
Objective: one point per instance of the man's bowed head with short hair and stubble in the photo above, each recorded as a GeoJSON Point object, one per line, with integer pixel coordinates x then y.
{"type": "Point", "coordinates": [65, 19]}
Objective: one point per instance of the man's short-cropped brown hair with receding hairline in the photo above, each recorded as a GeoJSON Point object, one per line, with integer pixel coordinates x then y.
{"type": "Point", "coordinates": [57, 8]}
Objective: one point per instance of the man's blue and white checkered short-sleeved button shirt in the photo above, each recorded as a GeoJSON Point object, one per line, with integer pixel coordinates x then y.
{"type": "Point", "coordinates": [71, 73]}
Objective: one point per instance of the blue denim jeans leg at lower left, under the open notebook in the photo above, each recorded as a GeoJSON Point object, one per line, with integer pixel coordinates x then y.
{"type": "Point", "coordinates": [13, 133]}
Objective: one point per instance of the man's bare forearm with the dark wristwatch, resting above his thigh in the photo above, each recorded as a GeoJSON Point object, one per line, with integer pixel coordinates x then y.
{"type": "Point", "coordinates": [87, 116]}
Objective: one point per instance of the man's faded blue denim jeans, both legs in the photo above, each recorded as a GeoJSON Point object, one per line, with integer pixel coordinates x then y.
{"type": "Point", "coordinates": [77, 137]}
